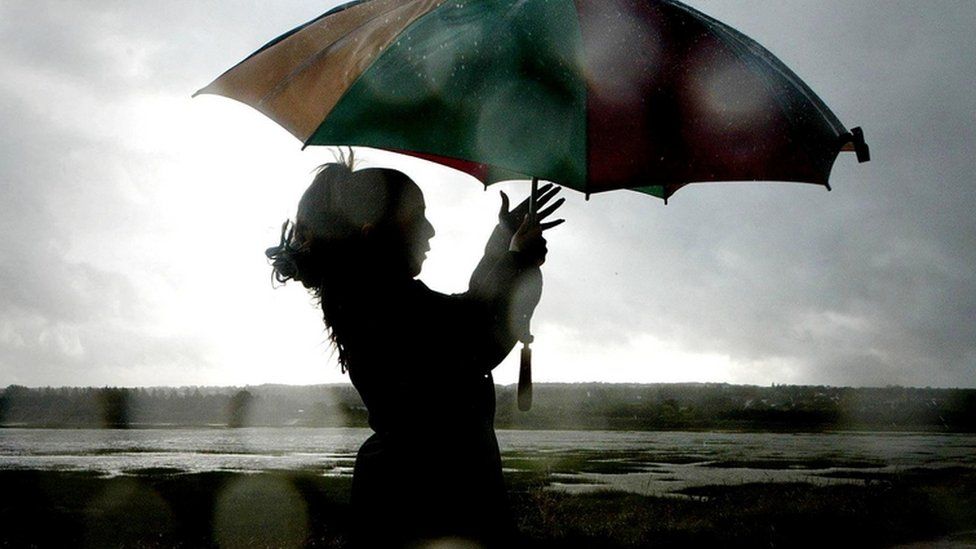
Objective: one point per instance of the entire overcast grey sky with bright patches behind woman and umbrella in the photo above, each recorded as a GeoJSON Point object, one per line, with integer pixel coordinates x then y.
{"type": "Point", "coordinates": [133, 218]}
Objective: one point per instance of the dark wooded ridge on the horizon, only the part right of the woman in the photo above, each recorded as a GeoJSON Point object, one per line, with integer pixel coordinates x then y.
{"type": "Point", "coordinates": [740, 407]}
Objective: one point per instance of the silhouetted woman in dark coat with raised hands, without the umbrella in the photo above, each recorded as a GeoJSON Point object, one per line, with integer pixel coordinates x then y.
{"type": "Point", "coordinates": [421, 360]}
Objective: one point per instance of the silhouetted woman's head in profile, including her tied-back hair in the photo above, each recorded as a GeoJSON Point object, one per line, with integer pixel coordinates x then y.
{"type": "Point", "coordinates": [355, 231]}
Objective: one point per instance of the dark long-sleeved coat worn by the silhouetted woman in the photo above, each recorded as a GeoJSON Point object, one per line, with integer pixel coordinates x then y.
{"type": "Point", "coordinates": [423, 368]}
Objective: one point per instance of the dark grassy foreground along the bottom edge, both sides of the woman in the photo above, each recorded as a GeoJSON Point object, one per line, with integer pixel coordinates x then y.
{"type": "Point", "coordinates": [165, 508]}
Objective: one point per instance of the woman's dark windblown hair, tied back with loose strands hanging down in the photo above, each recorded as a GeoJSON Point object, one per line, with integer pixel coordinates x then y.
{"type": "Point", "coordinates": [324, 248]}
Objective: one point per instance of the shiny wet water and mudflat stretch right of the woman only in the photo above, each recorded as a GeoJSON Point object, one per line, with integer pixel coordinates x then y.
{"type": "Point", "coordinates": [664, 462]}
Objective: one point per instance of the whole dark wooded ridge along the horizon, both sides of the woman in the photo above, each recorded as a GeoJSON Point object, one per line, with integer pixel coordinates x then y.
{"type": "Point", "coordinates": [556, 406]}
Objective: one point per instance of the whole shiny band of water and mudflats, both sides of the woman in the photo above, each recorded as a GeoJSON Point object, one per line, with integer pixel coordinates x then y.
{"type": "Point", "coordinates": [645, 462]}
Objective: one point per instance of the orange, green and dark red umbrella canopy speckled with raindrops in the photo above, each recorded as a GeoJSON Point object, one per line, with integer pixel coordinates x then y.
{"type": "Point", "coordinates": [594, 95]}
